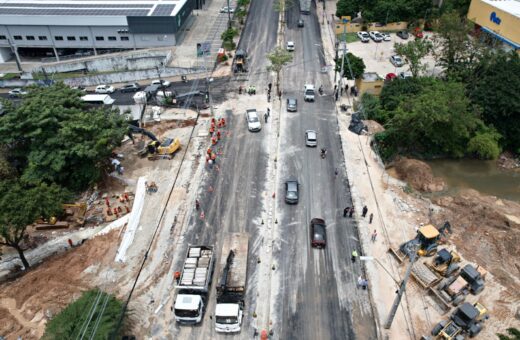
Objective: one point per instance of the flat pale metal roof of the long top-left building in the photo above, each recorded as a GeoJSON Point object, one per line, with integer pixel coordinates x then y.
{"type": "Point", "coordinates": [90, 7]}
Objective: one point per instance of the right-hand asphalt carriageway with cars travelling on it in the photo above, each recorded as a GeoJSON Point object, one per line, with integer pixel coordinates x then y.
{"type": "Point", "coordinates": [318, 298]}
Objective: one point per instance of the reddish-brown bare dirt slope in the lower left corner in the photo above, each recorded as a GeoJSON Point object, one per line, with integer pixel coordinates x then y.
{"type": "Point", "coordinates": [27, 302]}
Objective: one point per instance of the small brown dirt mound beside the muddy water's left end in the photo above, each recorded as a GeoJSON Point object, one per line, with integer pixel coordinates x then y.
{"type": "Point", "coordinates": [418, 174]}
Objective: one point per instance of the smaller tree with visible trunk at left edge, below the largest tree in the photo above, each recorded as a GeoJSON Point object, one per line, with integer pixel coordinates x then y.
{"type": "Point", "coordinates": [21, 205]}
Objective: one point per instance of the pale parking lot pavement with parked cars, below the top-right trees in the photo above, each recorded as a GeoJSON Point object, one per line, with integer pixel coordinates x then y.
{"type": "Point", "coordinates": [377, 56]}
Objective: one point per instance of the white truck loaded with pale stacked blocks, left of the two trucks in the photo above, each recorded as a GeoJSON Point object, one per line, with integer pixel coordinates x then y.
{"type": "Point", "coordinates": [193, 285]}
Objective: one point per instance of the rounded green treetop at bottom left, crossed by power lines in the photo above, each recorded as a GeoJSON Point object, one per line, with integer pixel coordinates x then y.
{"type": "Point", "coordinates": [93, 316]}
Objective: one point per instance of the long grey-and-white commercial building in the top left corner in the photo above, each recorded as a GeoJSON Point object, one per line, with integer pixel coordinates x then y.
{"type": "Point", "coordinates": [55, 28]}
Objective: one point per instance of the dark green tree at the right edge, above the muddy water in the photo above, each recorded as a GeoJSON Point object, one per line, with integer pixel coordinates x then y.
{"type": "Point", "coordinates": [495, 89]}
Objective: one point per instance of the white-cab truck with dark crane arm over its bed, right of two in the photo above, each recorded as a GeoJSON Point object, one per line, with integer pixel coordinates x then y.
{"type": "Point", "coordinates": [231, 288]}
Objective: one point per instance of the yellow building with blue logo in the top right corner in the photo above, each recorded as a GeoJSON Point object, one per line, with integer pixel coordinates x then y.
{"type": "Point", "coordinates": [499, 20]}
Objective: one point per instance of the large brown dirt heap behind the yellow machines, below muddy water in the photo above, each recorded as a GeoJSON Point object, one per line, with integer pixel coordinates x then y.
{"type": "Point", "coordinates": [486, 230]}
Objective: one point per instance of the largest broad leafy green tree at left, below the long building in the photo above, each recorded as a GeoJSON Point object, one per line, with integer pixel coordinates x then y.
{"type": "Point", "coordinates": [53, 137]}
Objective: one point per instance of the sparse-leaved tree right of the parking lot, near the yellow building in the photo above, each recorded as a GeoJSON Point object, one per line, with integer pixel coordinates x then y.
{"type": "Point", "coordinates": [455, 49]}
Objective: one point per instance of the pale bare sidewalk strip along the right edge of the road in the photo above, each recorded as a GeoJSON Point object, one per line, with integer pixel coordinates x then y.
{"type": "Point", "coordinates": [393, 222]}
